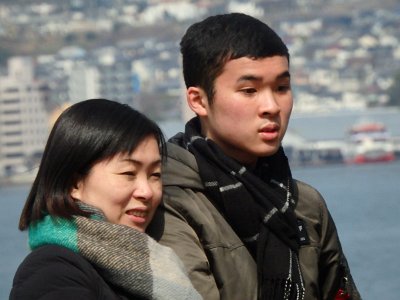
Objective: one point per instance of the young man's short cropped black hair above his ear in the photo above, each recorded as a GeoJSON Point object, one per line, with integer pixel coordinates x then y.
{"type": "Point", "coordinates": [209, 44]}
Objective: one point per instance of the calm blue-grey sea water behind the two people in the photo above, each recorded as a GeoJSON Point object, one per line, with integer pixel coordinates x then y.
{"type": "Point", "coordinates": [364, 202]}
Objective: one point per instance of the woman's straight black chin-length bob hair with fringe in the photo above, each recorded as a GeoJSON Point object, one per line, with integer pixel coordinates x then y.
{"type": "Point", "coordinates": [85, 133]}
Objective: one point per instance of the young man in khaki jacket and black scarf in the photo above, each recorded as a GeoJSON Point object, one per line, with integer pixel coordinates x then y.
{"type": "Point", "coordinates": [244, 228]}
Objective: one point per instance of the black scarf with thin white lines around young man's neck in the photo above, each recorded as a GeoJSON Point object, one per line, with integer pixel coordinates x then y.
{"type": "Point", "coordinates": [259, 206]}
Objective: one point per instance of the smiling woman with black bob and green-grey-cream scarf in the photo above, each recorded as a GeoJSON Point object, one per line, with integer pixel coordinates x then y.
{"type": "Point", "coordinates": [97, 188]}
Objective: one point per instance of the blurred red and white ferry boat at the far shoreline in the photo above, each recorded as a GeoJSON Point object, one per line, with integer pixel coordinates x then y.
{"type": "Point", "coordinates": [369, 142]}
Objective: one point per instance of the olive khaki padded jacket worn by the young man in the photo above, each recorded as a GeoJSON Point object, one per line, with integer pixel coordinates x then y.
{"type": "Point", "coordinates": [218, 263]}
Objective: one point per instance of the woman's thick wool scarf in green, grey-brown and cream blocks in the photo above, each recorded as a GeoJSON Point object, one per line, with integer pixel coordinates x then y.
{"type": "Point", "coordinates": [124, 257]}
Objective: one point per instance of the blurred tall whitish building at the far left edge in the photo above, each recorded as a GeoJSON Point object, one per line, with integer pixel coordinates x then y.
{"type": "Point", "coordinates": [23, 118]}
